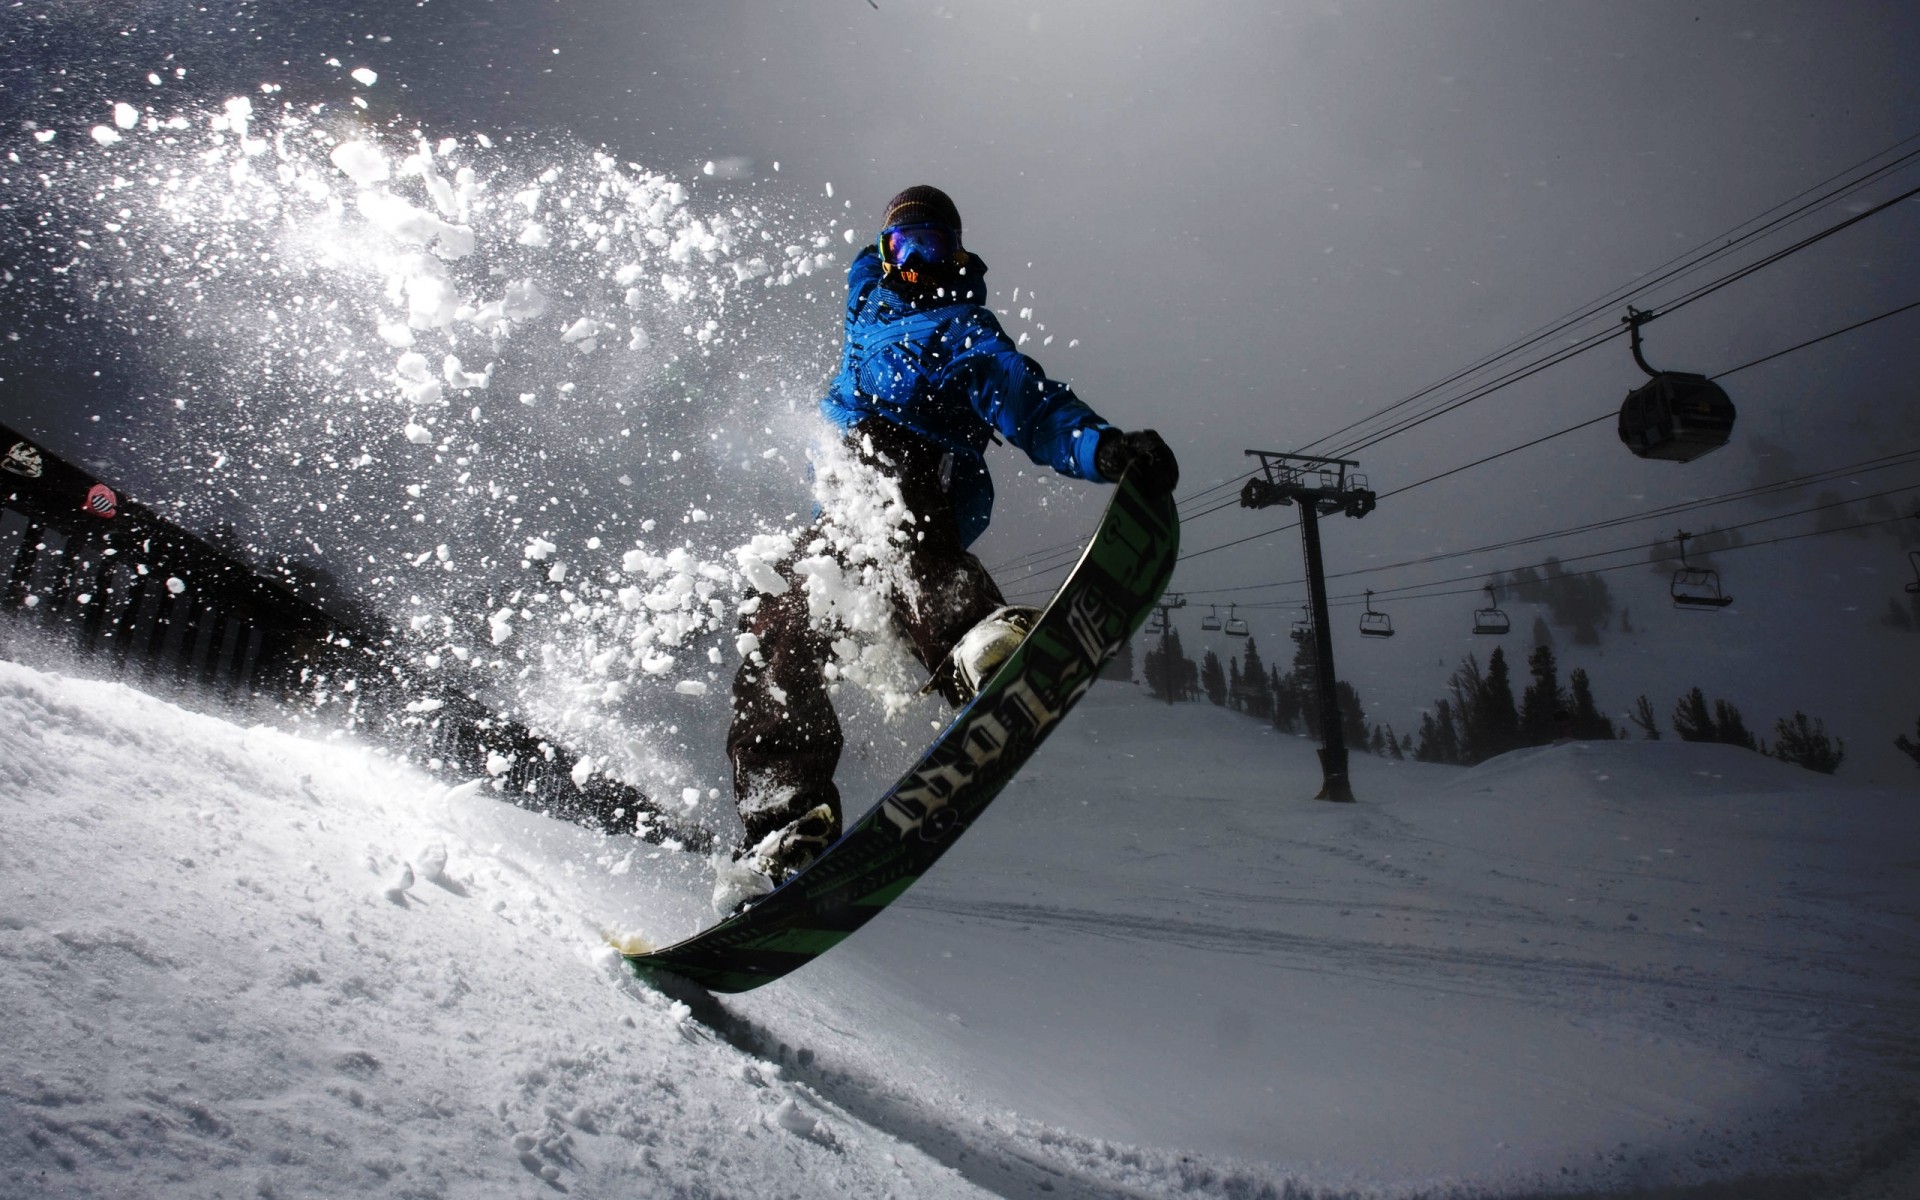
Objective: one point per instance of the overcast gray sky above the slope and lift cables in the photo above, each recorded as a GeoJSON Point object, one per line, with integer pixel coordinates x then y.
{"type": "Point", "coordinates": [1260, 222]}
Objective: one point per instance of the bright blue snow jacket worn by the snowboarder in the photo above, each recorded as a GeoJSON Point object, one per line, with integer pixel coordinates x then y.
{"type": "Point", "coordinates": [949, 373]}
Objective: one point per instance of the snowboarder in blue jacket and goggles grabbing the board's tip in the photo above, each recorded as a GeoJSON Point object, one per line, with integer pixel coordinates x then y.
{"type": "Point", "coordinates": [926, 381]}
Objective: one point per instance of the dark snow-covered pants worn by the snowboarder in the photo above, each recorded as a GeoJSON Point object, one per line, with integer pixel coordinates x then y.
{"type": "Point", "coordinates": [786, 740]}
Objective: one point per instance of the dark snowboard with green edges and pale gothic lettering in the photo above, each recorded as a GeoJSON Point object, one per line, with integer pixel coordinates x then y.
{"type": "Point", "coordinates": [1103, 602]}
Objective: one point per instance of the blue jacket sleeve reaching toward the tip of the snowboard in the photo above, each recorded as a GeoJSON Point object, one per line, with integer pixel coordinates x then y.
{"type": "Point", "coordinates": [1013, 395]}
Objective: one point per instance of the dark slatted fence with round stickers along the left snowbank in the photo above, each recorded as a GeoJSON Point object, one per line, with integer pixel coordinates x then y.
{"type": "Point", "coordinates": [168, 612]}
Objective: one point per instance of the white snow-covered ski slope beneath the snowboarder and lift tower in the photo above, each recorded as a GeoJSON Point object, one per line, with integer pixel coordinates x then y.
{"type": "Point", "coordinates": [239, 963]}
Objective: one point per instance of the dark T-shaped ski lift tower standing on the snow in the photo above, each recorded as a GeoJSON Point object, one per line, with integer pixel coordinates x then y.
{"type": "Point", "coordinates": [1322, 489]}
